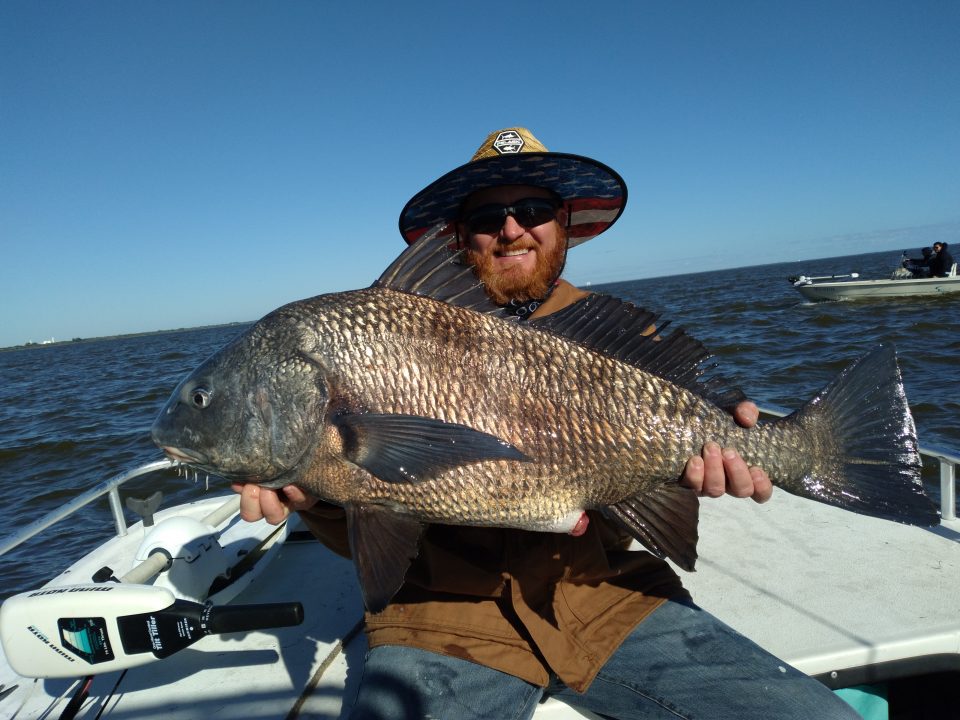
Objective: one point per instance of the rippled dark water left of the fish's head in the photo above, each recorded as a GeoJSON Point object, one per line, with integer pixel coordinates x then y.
{"type": "Point", "coordinates": [74, 415]}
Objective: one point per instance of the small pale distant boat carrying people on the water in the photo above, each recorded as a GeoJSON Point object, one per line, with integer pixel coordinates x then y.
{"type": "Point", "coordinates": [839, 287]}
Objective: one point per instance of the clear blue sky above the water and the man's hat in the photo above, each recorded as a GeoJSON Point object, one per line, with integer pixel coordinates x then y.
{"type": "Point", "coordinates": [174, 164]}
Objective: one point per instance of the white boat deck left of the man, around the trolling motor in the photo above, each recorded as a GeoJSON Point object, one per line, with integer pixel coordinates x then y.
{"type": "Point", "coordinates": [296, 672]}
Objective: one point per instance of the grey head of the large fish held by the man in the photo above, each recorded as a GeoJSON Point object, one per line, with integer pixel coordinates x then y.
{"type": "Point", "coordinates": [246, 413]}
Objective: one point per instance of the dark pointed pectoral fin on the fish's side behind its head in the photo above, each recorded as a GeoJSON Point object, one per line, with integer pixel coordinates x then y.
{"type": "Point", "coordinates": [410, 448]}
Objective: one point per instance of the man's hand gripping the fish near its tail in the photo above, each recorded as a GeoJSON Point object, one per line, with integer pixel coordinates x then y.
{"type": "Point", "coordinates": [717, 470]}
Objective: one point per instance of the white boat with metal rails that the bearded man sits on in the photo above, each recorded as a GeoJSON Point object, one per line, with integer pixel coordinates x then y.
{"type": "Point", "coordinates": [869, 607]}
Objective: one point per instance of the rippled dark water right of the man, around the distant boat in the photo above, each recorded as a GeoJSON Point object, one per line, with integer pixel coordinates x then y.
{"type": "Point", "coordinates": [782, 349]}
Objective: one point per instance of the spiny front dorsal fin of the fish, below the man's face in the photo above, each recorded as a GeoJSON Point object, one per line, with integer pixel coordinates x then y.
{"type": "Point", "coordinates": [433, 267]}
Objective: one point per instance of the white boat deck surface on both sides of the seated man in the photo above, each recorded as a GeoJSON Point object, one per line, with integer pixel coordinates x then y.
{"type": "Point", "coordinates": [810, 583]}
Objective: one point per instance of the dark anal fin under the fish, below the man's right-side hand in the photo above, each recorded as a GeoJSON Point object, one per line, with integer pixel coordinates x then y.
{"type": "Point", "coordinates": [664, 521]}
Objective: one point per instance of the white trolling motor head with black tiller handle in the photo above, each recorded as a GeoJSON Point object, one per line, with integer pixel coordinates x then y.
{"type": "Point", "coordinates": [80, 630]}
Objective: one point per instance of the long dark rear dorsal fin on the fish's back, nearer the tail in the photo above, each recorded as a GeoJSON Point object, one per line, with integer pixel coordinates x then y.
{"type": "Point", "coordinates": [623, 331]}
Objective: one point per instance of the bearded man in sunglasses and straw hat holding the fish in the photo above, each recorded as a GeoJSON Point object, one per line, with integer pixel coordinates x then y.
{"type": "Point", "coordinates": [490, 619]}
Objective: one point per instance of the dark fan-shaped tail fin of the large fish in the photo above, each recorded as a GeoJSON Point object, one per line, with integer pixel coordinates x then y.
{"type": "Point", "coordinates": [867, 457]}
